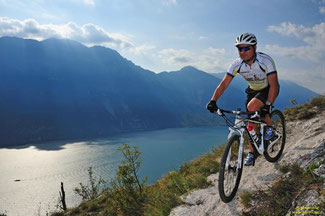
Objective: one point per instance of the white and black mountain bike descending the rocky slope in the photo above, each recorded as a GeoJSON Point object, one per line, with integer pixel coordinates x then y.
{"type": "Point", "coordinates": [231, 165]}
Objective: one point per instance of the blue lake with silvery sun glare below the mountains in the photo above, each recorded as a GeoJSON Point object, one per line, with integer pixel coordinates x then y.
{"type": "Point", "coordinates": [31, 175]}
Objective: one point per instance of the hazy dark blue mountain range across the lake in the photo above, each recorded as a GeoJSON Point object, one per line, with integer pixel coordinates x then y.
{"type": "Point", "coordinates": [61, 89]}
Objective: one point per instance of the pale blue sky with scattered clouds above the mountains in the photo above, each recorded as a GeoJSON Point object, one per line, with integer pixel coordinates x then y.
{"type": "Point", "coordinates": [167, 35]}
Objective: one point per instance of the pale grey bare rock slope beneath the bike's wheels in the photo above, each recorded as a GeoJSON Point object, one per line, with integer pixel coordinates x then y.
{"type": "Point", "coordinates": [305, 144]}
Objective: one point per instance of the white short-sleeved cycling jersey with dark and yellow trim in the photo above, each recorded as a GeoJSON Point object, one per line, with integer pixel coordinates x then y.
{"type": "Point", "coordinates": [256, 74]}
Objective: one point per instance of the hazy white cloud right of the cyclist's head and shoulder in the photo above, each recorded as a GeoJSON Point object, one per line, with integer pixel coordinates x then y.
{"type": "Point", "coordinates": [303, 64]}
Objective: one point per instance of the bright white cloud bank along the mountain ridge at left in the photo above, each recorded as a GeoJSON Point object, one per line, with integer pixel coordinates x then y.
{"type": "Point", "coordinates": [88, 34]}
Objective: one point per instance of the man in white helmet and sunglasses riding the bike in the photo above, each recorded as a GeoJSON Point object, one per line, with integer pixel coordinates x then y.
{"type": "Point", "coordinates": [259, 70]}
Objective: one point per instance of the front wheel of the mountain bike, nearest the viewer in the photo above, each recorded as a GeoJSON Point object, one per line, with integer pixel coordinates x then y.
{"type": "Point", "coordinates": [230, 172]}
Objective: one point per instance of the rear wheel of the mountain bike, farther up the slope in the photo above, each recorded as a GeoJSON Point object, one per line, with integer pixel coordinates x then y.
{"type": "Point", "coordinates": [274, 147]}
